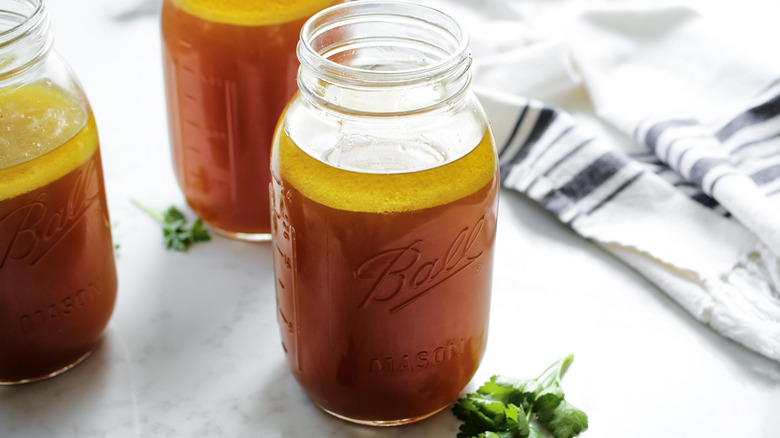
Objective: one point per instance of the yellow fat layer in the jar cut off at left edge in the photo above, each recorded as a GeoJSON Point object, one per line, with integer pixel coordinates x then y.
{"type": "Point", "coordinates": [63, 138]}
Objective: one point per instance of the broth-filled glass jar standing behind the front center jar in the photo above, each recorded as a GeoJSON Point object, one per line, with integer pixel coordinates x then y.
{"type": "Point", "coordinates": [229, 71]}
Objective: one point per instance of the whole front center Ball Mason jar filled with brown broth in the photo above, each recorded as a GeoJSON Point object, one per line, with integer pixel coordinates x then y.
{"type": "Point", "coordinates": [385, 186]}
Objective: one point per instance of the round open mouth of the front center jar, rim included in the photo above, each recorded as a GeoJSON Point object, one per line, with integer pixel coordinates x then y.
{"type": "Point", "coordinates": [383, 42]}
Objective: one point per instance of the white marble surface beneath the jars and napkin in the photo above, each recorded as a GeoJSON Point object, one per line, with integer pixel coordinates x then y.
{"type": "Point", "coordinates": [193, 348]}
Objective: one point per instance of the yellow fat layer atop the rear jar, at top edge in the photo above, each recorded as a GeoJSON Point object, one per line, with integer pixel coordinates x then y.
{"type": "Point", "coordinates": [252, 12]}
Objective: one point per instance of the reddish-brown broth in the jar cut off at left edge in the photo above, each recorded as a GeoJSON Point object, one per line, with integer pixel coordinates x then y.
{"type": "Point", "coordinates": [57, 274]}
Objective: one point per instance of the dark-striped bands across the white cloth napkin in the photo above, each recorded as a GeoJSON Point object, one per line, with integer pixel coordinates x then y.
{"type": "Point", "coordinates": [580, 173]}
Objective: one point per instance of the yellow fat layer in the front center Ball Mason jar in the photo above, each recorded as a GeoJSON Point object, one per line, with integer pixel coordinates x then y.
{"type": "Point", "coordinates": [385, 193]}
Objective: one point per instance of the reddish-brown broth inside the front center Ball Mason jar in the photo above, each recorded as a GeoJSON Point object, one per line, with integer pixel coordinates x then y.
{"type": "Point", "coordinates": [383, 315]}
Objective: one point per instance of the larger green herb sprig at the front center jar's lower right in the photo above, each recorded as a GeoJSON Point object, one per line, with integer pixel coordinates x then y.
{"type": "Point", "coordinates": [504, 407]}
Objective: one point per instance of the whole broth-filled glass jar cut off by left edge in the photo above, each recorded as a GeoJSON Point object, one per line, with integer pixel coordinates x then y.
{"type": "Point", "coordinates": [57, 273]}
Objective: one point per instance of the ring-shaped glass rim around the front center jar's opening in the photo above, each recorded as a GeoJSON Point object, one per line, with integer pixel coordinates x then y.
{"type": "Point", "coordinates": [325, 19]}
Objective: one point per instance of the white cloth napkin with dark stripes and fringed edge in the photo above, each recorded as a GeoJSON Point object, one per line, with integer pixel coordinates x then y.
{"type": "Point", "coordinates": [636, 126]}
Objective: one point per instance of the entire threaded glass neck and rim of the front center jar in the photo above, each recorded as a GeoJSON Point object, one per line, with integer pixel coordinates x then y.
{"type": "Point", "coordinates": [383, 58]}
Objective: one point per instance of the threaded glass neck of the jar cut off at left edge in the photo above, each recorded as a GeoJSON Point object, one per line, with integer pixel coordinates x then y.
{"type": "Point", "coordinates": [25, 36]}
